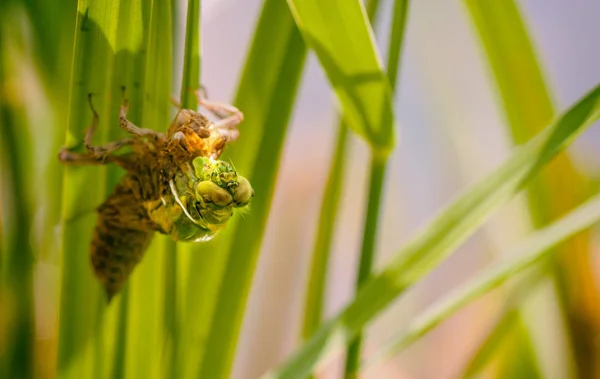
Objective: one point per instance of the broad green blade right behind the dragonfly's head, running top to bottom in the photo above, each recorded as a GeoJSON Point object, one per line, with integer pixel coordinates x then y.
{"type": "Point", "coordinates": [266, 94]}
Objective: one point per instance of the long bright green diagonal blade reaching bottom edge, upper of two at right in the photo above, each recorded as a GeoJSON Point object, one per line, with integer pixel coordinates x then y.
{"type": "Point", "coordinates": [446, 232]}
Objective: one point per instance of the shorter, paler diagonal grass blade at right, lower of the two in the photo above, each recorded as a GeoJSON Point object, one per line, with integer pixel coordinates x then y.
{"type": "Point", "coordinates": [529, 253]}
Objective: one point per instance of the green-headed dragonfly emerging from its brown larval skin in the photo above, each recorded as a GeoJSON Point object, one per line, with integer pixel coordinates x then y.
{"type": "Point", "coordinates": [174, 185]}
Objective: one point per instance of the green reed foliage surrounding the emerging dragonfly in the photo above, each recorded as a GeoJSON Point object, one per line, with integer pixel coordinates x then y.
{"type": "Point", "coordinates": [54, 56]}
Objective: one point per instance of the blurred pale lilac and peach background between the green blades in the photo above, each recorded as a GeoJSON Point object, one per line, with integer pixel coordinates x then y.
{"type": "Point", "coordinates": [451, 132]}
